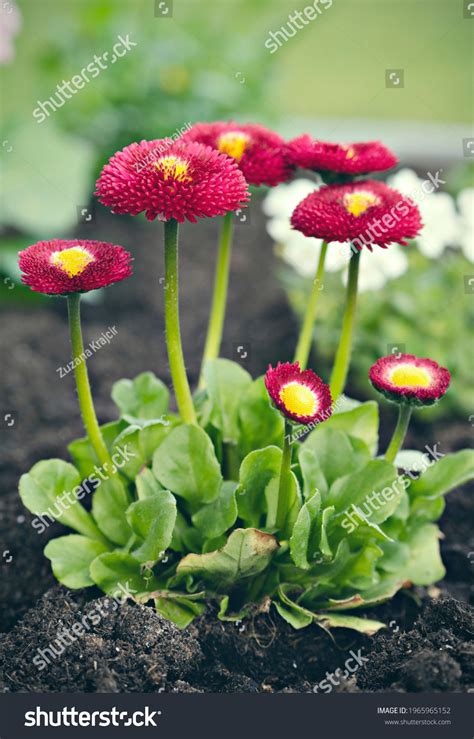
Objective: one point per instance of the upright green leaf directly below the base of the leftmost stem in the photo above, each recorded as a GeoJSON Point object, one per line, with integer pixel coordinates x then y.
{"type": "Point", "coordinates": [109, 506]}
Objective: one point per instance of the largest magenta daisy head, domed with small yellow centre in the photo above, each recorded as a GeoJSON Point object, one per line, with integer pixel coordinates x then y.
{"type": "Point", "coordinates": [168, 179]}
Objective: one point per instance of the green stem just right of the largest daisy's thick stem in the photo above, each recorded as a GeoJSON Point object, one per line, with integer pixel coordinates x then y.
{"type": "Point", "coordinates": [219, 298]}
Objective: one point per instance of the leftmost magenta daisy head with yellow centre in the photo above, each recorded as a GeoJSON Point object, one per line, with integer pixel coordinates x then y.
{"type": "Point", "coordinates": [60, 267]}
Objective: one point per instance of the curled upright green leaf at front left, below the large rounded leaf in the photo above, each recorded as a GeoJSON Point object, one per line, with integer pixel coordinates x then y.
{"type": "Point", "coordinates": [152, 520]}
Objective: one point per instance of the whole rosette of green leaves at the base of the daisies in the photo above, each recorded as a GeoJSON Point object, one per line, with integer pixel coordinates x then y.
{"type": "Point", "coordinates": [179, 526]}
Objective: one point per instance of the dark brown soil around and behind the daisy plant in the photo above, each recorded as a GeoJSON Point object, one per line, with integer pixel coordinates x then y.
{"type": "Point", "coordinates": [132, 649]}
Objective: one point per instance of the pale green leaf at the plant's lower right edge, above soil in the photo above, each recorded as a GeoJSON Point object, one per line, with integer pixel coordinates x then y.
{"type": "Point", "coordinates": [425, 565]}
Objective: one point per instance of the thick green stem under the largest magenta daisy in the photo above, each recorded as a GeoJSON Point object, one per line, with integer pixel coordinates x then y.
{"type": "Point", "coordinates": [173, 331]}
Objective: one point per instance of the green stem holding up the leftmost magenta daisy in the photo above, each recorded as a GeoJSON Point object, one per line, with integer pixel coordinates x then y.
{"type": "Point", "coordinates": [82, 382]}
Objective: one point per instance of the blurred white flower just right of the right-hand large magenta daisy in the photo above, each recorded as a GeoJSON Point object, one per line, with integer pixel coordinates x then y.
{"type": "Point", "coordinates": [438, 213]}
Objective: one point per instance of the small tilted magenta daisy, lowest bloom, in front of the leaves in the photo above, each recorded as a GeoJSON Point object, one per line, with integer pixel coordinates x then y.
{"type": "Point", "coordinates": [299, 394]}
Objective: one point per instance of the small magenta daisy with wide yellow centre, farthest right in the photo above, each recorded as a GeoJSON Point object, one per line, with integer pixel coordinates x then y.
{"type": "Point", "coordinates": [405, 378]}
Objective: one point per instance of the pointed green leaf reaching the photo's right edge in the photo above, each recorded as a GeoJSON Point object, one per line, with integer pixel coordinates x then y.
{"type": "Point", "coordinates": [444, 475]}
